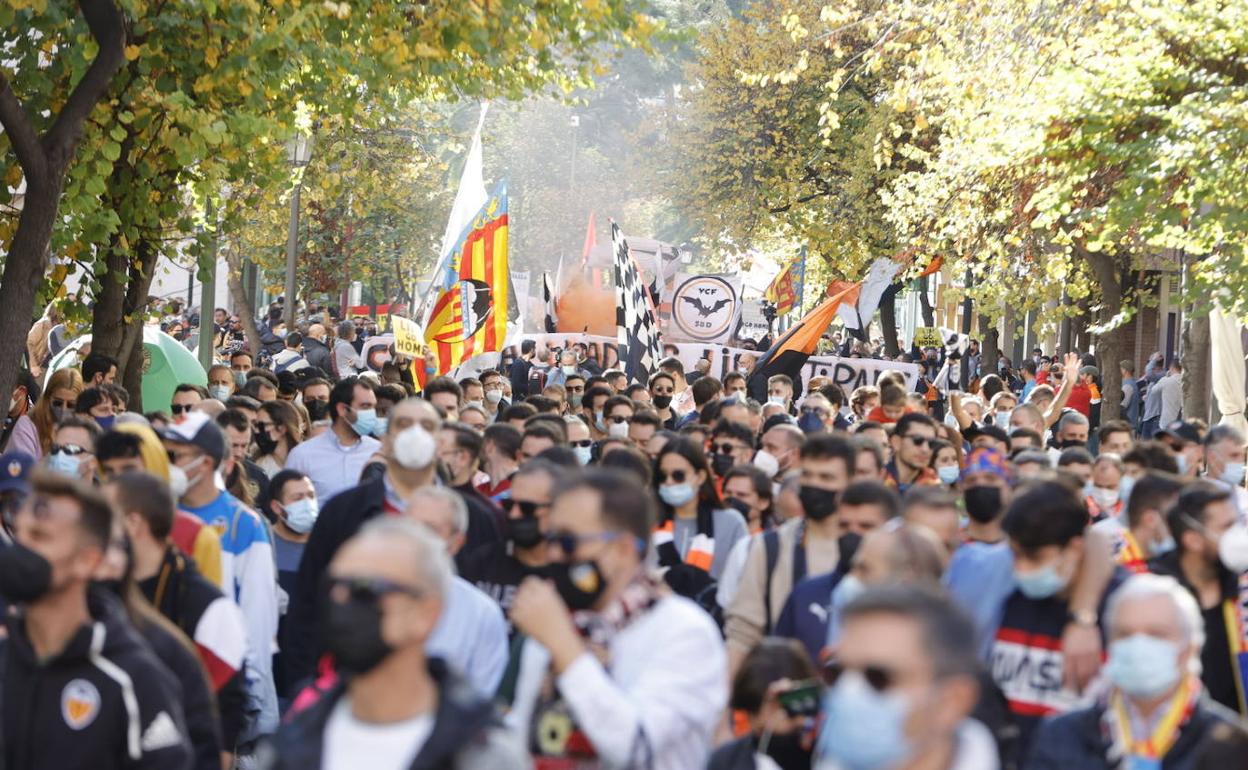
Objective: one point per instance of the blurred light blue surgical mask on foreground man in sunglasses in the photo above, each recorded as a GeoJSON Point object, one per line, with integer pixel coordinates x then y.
{"type": "Point", "coordinates": [864, 729]}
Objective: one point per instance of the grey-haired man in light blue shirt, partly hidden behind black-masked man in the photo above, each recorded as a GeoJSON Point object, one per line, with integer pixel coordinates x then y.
{"type": "Point", "coordinates": [471, 635]}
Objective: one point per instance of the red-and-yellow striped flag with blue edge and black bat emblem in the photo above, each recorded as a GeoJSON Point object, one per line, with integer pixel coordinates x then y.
{"type": "Point", "coordinates": [472, 294]}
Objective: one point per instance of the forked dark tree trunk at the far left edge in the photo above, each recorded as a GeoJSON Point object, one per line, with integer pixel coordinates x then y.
{"type": "Point", "coordinates": [44, 162]}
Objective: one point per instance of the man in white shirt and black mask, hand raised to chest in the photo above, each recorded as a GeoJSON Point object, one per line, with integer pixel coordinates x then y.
{"type": "Point", "coordinates": [666, 685]}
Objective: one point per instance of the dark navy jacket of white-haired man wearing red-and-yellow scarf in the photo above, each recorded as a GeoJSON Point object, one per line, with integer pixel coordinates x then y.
{"type": "Point", "coordinates": [1075, 741]}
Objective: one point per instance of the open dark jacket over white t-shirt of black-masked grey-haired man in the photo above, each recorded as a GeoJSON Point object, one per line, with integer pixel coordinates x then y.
{"type": "Point", "coordinates": [467, 733]}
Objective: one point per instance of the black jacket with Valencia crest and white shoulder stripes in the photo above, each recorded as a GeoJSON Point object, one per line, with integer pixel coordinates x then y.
{"type": "Point", "coordinates": [104, 703]}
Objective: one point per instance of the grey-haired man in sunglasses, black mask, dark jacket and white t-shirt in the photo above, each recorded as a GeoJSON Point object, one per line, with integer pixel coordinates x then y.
{"type": "Point", "coordinates": [400, 706]}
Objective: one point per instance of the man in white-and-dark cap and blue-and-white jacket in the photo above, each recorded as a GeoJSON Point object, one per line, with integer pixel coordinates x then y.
{"type": "Point", "coordinates": [197, 449]}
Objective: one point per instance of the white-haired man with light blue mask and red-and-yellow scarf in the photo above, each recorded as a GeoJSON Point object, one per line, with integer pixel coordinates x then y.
{"type": "Point", "coordinates": [1158, 712]}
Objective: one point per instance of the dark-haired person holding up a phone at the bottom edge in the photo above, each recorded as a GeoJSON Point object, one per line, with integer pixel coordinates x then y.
{"type": "Point", "coordinates": [779, 737]}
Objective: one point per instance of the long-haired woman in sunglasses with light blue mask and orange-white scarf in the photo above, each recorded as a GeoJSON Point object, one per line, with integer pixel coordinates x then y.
{"type": "Point", "coordinates": [696, 530]}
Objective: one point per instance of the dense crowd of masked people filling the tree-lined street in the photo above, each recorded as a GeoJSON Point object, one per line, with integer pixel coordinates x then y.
{"type": "Point", "coordinates": [309, 565]}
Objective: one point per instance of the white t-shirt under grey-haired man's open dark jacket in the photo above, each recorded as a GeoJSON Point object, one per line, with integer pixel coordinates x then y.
{"type": "Point", "coordinates": [351, 744]}
